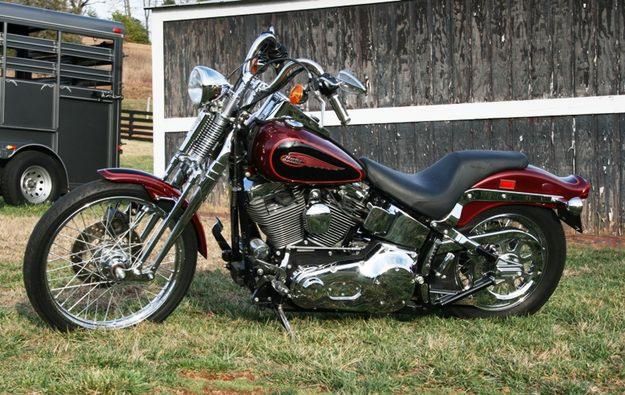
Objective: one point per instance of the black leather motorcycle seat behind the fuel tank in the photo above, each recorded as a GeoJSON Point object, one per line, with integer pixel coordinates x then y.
{"type": "Point", "coordinates": [434, 191]}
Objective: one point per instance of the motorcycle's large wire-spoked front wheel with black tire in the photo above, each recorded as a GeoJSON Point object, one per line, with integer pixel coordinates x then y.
{"type": "Point", "coordinates": [78, 266]}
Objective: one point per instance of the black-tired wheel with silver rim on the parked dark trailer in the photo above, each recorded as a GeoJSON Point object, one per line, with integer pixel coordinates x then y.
{"type": "Point", "coordinates": [31, 177]}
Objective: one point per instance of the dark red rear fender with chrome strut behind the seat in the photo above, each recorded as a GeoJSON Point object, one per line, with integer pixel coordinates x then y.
{"type": "Point", "coordinates": [530, 186]}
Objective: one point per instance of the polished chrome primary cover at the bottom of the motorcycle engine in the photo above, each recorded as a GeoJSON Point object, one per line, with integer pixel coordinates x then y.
{"type": "Point", "coordinates": [383, 283]}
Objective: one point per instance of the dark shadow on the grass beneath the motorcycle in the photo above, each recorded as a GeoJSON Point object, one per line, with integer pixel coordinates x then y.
{"type": "Point", "coordinates": [215, 292]}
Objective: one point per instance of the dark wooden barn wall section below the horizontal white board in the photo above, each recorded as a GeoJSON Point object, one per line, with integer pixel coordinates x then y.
{"type": "Point", "coordinates": [590, 145]}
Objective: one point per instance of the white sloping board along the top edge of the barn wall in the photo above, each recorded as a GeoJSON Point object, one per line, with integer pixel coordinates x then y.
{"type": "Point", "coordinates": [217, 10]}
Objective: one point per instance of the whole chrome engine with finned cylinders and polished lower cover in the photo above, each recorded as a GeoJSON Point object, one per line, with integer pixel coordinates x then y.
{"type": "Point", "coordinates": [327, 270]}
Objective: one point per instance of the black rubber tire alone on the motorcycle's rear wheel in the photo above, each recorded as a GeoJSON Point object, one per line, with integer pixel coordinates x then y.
{"type": "Point", "coordinates": [553, 241]}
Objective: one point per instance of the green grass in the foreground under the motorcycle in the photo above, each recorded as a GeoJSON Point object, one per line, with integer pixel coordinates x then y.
{"type": "Point", "coordinates": [218, 341]}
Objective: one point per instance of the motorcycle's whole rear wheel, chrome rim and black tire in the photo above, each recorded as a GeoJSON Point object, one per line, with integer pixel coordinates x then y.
{"type": "Point", "coordinates": [531, 236]}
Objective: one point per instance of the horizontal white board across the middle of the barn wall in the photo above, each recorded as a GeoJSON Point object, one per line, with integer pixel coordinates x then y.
{"type": "Point", "coordinates": [460, 112]}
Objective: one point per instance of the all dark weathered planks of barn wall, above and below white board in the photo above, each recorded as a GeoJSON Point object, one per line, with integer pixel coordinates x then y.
{"type": "Point", "coordinates": [450, 51]}
